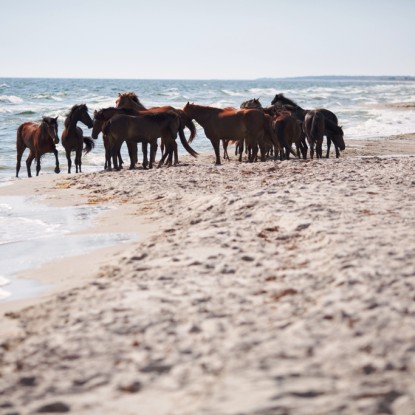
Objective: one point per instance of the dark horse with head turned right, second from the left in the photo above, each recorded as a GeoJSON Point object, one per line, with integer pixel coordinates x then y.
{"type": "Point", "coordinates": [73, 137]}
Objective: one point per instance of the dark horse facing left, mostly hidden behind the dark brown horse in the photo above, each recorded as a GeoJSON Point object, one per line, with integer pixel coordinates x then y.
{"type": "Point", "coordinates": [100, 118]}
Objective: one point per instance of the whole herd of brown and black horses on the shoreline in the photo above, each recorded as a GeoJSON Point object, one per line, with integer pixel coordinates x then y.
{"type": "Point", "coordinates": [271, 131]}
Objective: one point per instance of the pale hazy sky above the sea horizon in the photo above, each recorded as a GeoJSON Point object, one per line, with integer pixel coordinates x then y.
{"type": "Point", "coordinates": [219, 39]}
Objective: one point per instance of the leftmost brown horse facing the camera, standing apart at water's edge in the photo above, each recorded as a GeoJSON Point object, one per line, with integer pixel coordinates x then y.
{"type": "Point", "coordinates": [40, 139]}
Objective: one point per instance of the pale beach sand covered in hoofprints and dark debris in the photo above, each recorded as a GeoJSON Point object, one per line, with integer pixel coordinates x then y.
{"type": "Point", "coordinates": [265, 288]}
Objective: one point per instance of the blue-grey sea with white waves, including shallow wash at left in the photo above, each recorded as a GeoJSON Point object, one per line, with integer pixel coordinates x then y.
{"type": "Point", "coordinates": [362, 105]}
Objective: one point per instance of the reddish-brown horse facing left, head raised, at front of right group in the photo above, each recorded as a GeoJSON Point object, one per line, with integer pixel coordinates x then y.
{"type": "Point", "coordinates": [231, 124]}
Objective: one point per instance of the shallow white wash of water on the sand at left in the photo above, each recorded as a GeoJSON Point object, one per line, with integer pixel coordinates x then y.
{"type": "Point", "coordinates": [33, 234]}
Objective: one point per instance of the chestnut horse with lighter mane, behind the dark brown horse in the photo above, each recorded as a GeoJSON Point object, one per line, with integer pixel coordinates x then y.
{"type": "Point", "coordinates": [130, 100]}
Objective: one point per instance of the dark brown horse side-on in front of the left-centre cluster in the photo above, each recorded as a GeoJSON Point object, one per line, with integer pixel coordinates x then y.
{"type": "Point", "coordinates": [149, 127]}
